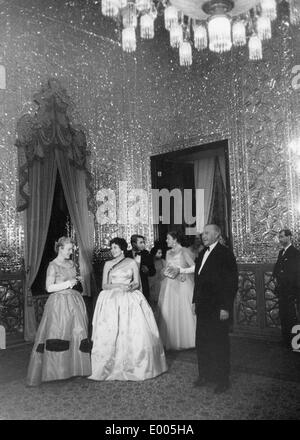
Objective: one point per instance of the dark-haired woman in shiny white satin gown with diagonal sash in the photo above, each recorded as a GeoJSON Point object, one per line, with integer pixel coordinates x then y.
{"type": "Point", "coordinates": [126, 342]}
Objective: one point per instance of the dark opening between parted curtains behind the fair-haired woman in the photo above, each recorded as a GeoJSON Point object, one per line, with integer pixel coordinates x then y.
{"type": "Point", "coordinates": [58, 227]}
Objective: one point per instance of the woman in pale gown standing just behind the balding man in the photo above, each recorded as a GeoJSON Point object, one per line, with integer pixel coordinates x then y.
{"type": "Point", "coordinates": [176, 318]}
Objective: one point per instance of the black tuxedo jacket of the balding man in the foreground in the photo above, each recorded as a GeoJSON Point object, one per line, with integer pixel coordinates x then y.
{"type": "Point", "coordinates": [217, 283]}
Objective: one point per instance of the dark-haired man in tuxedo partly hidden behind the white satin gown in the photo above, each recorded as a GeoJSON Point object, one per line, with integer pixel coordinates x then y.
{"type": "Point", "coordinates": [144, 261]}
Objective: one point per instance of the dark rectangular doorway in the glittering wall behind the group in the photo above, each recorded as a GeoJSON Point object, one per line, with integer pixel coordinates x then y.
{"type": "Point", "coordinates": [177, 170]}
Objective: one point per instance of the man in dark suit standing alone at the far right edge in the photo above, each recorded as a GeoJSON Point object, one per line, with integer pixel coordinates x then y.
{"type": "Point", "coordinates": [287, 275]}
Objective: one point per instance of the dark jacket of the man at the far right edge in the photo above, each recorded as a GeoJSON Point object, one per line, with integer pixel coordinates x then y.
{"type": "Point", "coordinates": [287, 272]}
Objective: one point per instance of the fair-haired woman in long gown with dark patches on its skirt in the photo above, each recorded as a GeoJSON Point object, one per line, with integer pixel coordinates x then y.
{"type": "Point", "coordinates": [61, 349]}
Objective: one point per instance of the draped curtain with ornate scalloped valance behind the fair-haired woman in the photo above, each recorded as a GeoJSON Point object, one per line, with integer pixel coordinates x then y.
{"type": "Point", "coordinates": [48, 144]}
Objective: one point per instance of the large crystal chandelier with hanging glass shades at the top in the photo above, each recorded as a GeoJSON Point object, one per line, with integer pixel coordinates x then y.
{"type": "Point", "coordinates": [217, 25]}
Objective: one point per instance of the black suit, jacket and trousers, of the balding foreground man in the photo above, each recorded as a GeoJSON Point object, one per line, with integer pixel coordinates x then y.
{"type": "Point", "coordinates": [215, 289]}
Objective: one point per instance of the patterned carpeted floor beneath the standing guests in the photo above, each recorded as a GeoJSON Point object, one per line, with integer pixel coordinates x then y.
{"type": "Point", "coordinates": [265, 385]}
